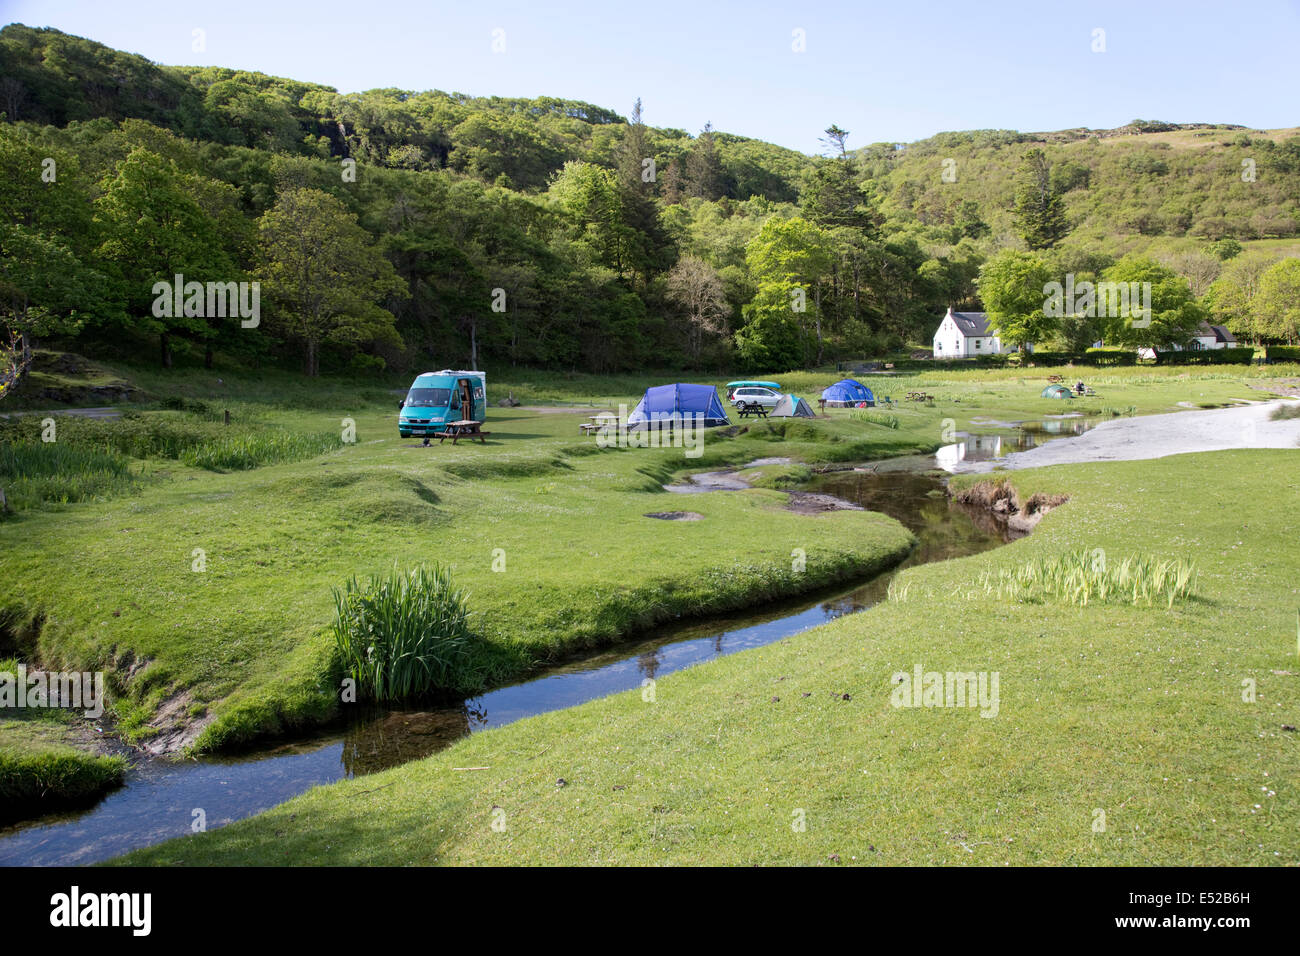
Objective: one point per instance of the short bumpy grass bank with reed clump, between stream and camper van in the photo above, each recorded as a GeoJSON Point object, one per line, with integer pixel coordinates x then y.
{"type": "Point", "coordinates": [207, 595]}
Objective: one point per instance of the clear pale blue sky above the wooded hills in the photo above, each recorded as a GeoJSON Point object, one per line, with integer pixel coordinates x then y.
{"type": "Point", "coordinates": [887, 72]}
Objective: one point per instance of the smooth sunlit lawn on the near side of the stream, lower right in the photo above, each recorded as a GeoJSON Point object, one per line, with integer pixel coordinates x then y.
{"type": "Point", "coordinates": [1125, 734]}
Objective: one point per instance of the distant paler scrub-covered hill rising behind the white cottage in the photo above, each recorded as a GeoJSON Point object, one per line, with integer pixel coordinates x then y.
{"type": "Point", "coordinates": [1149, 179]}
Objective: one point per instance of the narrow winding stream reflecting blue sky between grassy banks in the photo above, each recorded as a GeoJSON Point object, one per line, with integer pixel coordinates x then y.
{"type": "Point", "coordinates": [159, 799]}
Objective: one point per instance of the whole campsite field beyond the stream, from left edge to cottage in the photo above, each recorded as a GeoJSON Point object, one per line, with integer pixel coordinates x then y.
{"type": "Point", "coordinates": [239, 650]}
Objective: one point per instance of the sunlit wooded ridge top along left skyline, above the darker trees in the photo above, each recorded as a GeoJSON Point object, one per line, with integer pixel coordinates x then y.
{"type": "Point", "coordinates": [521, 144]}
